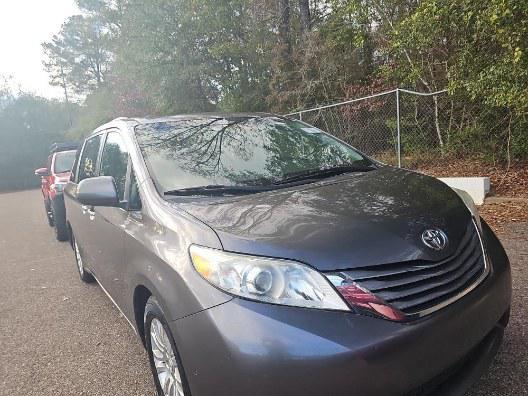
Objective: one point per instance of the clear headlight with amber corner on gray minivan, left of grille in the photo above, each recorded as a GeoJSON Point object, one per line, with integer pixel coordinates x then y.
{"type": "Point", "coordinates": [267, 280]}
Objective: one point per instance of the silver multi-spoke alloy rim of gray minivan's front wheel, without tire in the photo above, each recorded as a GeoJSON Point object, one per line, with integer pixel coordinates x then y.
{"type": "Point", "coordinates": [165, 360]}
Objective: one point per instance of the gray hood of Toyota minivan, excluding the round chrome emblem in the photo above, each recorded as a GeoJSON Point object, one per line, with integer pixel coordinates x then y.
{"type": "Point", "coordinates": [346, 222]}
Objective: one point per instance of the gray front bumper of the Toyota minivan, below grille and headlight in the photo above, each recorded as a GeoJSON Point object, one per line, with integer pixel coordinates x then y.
{"type": "Point", "coordinates": [247, 348]}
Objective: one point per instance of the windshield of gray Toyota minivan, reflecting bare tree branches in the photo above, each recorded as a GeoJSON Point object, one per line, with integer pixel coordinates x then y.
{"type": "Point", "coordinates": [237, 151]}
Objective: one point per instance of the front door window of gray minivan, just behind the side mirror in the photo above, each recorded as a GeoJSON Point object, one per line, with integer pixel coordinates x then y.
{"type": "Point", "coordinates": [114, 161]}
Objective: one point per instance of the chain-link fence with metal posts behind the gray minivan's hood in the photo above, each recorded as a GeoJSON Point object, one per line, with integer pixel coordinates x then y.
{"type": "Point", "coordinates": [406, 128]}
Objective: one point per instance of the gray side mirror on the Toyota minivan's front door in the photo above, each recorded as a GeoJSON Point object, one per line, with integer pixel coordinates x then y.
{"type": "Point", "coordinates": [98, 191]}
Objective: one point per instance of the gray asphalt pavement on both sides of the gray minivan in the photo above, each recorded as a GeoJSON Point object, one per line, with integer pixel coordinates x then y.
{"type": "Point", "coordinates": [61, 337]}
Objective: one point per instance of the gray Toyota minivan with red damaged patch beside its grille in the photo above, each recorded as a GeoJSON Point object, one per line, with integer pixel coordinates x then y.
{"type": "Point", "coordinates": [258, 255]}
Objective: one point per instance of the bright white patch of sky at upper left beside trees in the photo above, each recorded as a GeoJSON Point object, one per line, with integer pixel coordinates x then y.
{"type": "Point", "coordinates": [24, 25]}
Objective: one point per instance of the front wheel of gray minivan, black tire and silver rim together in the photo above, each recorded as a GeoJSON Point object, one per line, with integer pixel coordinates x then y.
{"type": "Point", "coordinates": [158, 338]}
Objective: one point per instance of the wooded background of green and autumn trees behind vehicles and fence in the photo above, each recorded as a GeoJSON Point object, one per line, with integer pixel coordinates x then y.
{"type": "Point", "coordinates": [160, 57]}
